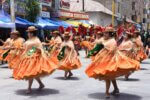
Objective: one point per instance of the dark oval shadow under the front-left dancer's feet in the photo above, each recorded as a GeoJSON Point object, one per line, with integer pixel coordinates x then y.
{"type": "Point", "coordinates": [35, 92]}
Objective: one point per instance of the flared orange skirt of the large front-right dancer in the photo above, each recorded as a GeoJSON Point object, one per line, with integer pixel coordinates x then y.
{"type": "Point", "coordinates": [109, 65]}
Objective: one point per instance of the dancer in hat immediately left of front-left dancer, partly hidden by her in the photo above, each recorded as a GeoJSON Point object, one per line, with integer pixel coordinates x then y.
{"type": "Point", "coordinates": [14, 49]}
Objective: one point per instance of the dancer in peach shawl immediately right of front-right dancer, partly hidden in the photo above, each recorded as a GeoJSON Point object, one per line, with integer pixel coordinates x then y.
{"type": "Point", "coordinates": [127, 48]}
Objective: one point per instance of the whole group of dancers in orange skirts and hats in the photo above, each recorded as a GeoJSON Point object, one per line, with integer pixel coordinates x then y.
{"type": "Point", "coordinates": [33, 59]}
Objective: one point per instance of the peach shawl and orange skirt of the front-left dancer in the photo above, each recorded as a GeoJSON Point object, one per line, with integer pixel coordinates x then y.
{"type": "Point", "coordinates": [36, 65]}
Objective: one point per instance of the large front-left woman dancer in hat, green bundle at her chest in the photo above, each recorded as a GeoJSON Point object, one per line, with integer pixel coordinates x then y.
{"type": "Point", "coordinates": [34, 63]}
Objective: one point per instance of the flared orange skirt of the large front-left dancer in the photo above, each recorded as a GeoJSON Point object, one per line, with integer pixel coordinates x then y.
{"type": "Point", "coordinates": [32, 67]}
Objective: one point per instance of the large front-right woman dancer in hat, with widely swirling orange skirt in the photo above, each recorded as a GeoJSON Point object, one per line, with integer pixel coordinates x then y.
{"type": "Point", "coordinates": [110, 63]}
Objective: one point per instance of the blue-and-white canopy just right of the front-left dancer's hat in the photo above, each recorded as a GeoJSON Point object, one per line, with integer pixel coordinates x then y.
{"type": "Point", "coordinates": [45, 24]}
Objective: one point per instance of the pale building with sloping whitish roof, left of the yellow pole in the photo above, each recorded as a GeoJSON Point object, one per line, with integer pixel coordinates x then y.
{"type": "Point", "coordinates": [98, 13]}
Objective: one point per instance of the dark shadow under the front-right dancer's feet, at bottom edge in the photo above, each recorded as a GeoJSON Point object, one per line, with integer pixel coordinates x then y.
{"type": "Point", "coordinates": [122, 96]}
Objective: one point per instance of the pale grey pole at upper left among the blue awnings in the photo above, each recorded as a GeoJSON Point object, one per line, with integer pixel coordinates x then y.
{"type": "Point", "coordinates": [12, 10]}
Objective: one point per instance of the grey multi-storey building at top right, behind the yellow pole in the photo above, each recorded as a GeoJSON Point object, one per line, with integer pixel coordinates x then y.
{"type": "Point", "coordinates": [132, 9]}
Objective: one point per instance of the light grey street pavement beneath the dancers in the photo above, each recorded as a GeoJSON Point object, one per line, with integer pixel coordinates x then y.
{"type": "Point", "coordinates": [79, 87]}
